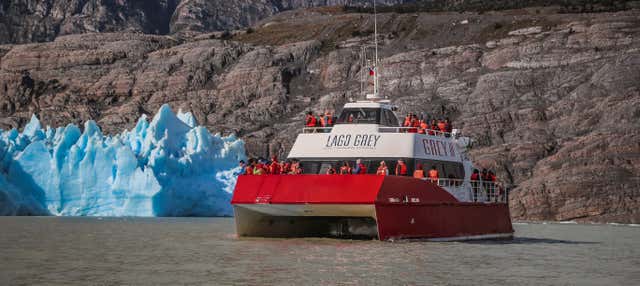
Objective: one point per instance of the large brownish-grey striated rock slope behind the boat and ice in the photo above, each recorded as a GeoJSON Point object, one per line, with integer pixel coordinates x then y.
{"type": "Point", "coordinates": [552, 100]}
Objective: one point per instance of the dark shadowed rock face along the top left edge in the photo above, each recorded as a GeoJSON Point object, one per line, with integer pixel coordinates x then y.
{"type": "Point", "coordinates": [25, 21]}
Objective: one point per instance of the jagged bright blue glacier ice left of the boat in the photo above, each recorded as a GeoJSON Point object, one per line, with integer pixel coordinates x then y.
{"type": "Point", "coordinates": [169, 166]}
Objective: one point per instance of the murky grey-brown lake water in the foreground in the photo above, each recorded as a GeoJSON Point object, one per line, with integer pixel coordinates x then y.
{"type": "Point", "coordinates": [205, 251]}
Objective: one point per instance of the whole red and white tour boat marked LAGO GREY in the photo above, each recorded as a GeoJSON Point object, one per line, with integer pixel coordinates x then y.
{"type": "Point", "coordinates": [385, 207]}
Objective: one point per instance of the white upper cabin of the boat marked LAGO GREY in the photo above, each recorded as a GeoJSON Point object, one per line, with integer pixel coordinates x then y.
{"type": "Point", "coordinates": [370, 131]}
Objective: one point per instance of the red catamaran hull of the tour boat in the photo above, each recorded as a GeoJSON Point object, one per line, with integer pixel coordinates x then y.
{"type": "Point", "coordinates": [384, 207]}
